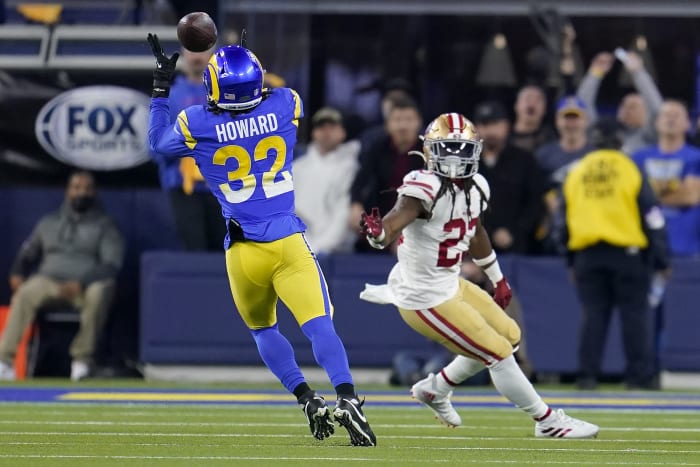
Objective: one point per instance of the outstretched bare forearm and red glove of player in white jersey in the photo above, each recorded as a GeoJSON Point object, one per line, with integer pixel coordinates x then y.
{"type": "Point", "coordinates": [380, 231]}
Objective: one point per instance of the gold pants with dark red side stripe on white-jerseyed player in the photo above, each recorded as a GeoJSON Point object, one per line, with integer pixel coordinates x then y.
{"type": "Point", "coordinates": [469, 324]}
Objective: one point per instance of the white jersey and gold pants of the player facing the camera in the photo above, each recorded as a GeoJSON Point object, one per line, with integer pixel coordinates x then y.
{"type": "Point", "coordinates": [425, 284]}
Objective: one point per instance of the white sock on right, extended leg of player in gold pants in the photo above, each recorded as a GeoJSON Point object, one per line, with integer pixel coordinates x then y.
{"type": "Point", "coordinates": [512, 383]}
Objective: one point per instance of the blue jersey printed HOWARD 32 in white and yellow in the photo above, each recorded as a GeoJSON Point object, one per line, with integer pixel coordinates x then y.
{"type": "Point", "coordinates": [246, 159]}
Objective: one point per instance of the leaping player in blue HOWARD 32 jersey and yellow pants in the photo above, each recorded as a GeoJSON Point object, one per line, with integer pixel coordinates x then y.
{"type": "Point", "coordinates": [242, 142]}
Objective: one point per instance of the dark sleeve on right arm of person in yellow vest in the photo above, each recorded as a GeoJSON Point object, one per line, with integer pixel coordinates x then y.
{"type": "Point", "coordinates": [654, 226]}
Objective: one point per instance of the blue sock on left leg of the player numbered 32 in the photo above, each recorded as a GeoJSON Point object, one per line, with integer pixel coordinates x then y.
{"type": "Point", "coordinates": [278, 355]}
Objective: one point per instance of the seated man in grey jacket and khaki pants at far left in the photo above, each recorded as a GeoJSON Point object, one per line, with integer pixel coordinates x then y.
{"type": "Point", "coordinates": [77, 252]}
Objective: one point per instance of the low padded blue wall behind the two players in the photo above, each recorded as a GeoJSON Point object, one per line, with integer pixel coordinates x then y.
{"type": "Point", "coordinates": [188, 315]}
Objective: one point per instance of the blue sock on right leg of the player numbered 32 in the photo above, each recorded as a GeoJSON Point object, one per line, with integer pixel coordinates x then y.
{"type": "Point", "coordinates": [328, 349]}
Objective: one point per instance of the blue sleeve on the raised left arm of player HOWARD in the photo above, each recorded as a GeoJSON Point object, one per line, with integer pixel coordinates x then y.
{"type": "Point", "coordinates": [165, 138]}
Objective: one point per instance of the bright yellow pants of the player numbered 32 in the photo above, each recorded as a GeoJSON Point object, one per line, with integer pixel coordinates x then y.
{"type": "Point", "coordinates": [260, 273]}
